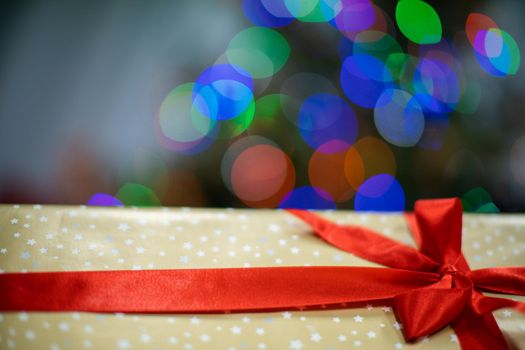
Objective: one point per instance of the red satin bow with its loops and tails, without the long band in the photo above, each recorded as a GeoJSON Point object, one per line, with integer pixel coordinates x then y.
{"type": "Point", "coordinates": [456, 299]}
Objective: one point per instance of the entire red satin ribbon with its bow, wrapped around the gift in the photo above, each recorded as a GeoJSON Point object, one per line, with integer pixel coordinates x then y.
{"type": "Point", "coordinates": [430, 288]}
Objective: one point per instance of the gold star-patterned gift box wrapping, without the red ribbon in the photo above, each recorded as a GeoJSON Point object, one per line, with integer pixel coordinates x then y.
{"type": "Point", "coordinates": [60, 238]}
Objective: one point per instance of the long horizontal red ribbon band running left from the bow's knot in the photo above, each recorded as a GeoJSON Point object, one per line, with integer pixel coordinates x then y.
{"type": "Point", "coordinates": [204, 290]}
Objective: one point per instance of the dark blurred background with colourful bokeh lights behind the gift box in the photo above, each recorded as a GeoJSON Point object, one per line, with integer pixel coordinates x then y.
{"type": "Point", "coordinates": [316, 104]}
